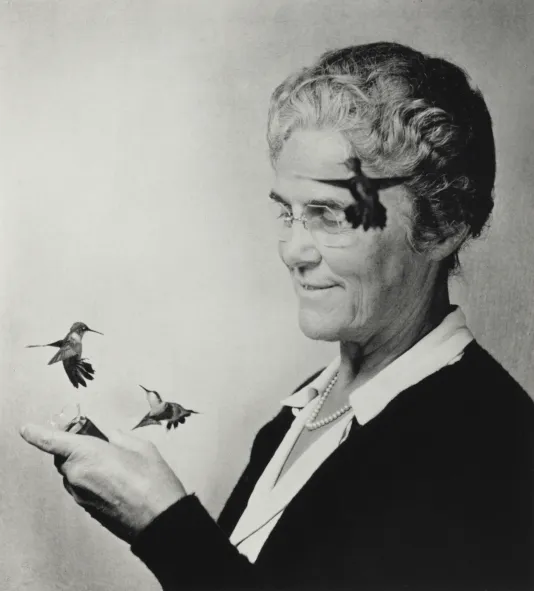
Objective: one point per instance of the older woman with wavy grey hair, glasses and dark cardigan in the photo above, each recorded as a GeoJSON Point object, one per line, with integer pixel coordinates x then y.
{"type": "Point", "coordinates": [407, 462]}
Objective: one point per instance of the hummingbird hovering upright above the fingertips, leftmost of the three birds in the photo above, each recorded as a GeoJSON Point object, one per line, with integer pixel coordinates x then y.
{"type": "Point", "coordinates": [70, 352]}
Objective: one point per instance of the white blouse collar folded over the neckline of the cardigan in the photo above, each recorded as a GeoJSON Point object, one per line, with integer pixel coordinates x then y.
{"type": "Point", "coordinates": [440, 347]}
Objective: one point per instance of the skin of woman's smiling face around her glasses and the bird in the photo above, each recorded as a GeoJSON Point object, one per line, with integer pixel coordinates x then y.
{"type": "Point", "coordinates": [365, 291]}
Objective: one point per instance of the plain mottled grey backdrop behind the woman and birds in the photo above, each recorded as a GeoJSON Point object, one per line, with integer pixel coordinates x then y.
{"type": "Point", "coordinates": [134, 178]}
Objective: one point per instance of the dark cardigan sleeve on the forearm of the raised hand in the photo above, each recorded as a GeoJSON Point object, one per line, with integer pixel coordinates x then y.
{"type": "Point", "coordinates": [185, 549]}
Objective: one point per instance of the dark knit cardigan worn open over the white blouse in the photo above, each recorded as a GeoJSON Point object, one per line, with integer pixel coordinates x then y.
{"type": "Point", "coordinates": [434, 493]}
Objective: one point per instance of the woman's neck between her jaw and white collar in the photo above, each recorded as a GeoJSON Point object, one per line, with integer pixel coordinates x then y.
{"type": "Point", "coordinates": [360, 362]}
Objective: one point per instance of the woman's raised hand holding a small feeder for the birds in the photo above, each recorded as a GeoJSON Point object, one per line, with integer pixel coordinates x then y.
{"type": "Point", "coordinates": [124, 484]}
